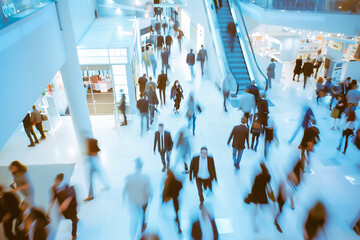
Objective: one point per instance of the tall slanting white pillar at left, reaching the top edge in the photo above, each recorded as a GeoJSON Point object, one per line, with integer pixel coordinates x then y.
{"type": "Point", "coordinates": [72, 78]}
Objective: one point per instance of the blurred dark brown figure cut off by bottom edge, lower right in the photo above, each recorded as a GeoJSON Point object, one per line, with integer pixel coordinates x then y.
{"type": "Point", "coordinates": [316, 220]}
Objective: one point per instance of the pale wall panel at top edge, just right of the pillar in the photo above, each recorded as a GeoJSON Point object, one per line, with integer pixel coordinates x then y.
{"type": "Point", "coordinates": [82, 14]}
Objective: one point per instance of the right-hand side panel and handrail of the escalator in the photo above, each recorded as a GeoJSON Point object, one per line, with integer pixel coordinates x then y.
{"type": "Point", "coordinates": [253, 66]}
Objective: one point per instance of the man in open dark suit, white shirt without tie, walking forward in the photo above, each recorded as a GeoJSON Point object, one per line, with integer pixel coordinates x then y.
{"type": "Point", "coordinates": [202, 168]}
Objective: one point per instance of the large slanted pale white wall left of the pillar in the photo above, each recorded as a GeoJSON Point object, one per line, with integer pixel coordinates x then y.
{"type": "Point", "coordinates": [31, 52]}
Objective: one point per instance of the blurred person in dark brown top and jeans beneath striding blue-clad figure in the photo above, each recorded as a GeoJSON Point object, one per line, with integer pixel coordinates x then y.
{"type": "Point", "coordinates": [310, 138]}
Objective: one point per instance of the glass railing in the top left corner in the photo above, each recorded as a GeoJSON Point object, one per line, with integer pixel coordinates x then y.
{"type": "Point", "coordinates": [14, 10]}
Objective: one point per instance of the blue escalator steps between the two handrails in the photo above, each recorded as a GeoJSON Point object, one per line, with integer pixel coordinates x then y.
{"type": "Point", "coordinates": [236, 59]}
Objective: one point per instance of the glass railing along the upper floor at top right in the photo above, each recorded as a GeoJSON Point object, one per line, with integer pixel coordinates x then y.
{"type": "Point", "coordinates": [328, 6]}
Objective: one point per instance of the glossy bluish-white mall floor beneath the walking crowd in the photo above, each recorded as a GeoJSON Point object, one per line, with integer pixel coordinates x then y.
{"type": "Point", "coordinates": [334, 177]}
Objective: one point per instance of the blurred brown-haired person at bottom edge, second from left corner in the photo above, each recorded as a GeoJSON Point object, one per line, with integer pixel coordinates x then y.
{"type": "Point", "coordinates": [35, 223]}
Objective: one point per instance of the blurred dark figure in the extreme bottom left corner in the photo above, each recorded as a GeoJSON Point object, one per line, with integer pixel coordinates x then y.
{"type": "Point", "coordinates": [9, 211]}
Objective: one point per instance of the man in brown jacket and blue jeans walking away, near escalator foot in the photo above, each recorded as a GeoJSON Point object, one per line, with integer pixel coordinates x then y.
{"type": "Point", "coordinates": [240, 133]}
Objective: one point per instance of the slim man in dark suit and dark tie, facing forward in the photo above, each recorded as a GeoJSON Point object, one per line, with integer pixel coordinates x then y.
{"type": "Point", "coordinates": [165, 143]}
